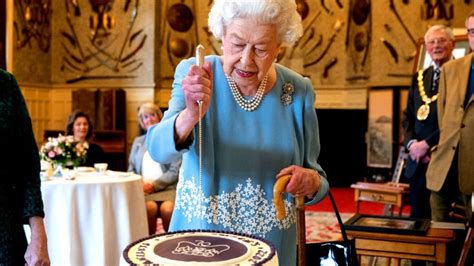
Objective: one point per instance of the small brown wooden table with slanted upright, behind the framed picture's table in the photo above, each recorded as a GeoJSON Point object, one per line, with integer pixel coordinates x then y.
{"type": "Point", "coordinates": [391, 193]}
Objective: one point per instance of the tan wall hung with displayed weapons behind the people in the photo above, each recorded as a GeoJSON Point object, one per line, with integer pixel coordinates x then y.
{"type": "Point", "coordinates": [135, 45]}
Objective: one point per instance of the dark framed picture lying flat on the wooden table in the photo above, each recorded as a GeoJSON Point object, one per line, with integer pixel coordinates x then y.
{"type": "Point", "coordinates": [388, 224]}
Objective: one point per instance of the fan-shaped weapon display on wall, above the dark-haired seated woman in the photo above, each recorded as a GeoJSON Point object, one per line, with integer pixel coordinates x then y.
{"type": "Point", "coordinates": [102, 43]}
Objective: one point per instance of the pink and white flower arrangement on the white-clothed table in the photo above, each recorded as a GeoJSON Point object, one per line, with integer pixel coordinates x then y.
{"type": "Point", "coordinates": [63, 150]}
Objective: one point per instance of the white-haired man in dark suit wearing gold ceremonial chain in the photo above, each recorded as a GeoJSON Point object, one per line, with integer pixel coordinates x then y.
{"type": "Point", "coordinates": [420, 121]}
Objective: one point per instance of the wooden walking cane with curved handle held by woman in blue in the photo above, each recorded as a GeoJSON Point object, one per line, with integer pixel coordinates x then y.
{"type": "Point", "coordinates": [278, 188]}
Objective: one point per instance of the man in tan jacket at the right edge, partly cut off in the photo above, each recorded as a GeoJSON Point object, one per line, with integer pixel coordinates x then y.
{"type": "Point", "coordinates": [451, 170]}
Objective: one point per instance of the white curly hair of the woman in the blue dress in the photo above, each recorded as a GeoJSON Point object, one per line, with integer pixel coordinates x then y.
{"type": "Point", "coordinates": [281, 13]}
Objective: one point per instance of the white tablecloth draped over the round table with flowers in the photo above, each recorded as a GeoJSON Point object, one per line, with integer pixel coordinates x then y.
{"type": "Point", "coordinates": [90, 220]}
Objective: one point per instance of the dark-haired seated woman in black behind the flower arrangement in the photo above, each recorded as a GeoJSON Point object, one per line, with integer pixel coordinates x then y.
{"type": "Point", "coordinates": [80, 126]}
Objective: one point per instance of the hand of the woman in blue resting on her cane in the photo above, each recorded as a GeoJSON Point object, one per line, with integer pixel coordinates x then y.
{"type": "Point", "coordinates": [303, 181]}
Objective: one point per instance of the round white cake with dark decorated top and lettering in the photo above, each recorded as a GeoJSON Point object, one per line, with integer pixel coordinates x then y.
{"type": "Point", "coordinates": [201, 248]}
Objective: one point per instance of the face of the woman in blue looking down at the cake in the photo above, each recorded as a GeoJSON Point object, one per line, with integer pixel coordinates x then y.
{"type": "Point", "coordinates": [249, 51]}
